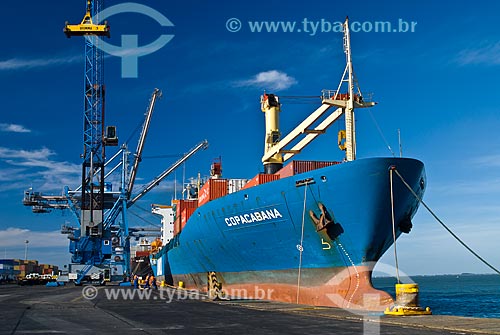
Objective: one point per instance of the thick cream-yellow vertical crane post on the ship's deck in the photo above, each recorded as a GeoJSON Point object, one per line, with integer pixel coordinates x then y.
{"type": "Point", "coordinates": [271, 107]}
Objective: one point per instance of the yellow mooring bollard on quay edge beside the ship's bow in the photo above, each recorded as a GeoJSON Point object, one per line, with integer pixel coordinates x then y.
{"type": "Point", "coordinates": [407, 302]}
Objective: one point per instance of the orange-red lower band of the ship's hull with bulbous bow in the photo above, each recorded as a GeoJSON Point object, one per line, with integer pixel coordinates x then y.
{"type": "Point", "coordinates": [349, 288]}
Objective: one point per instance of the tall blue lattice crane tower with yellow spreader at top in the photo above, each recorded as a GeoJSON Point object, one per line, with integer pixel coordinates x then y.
{"type": "Point", "coordinates": [96, 244]}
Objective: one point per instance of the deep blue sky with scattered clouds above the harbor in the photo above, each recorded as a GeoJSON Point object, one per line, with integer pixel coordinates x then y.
{"type": "Point", "coordinates": [437, 84]}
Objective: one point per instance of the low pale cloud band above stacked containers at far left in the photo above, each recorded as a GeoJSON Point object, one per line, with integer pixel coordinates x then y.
{"type": "Point", "coordinates": [15, 237]}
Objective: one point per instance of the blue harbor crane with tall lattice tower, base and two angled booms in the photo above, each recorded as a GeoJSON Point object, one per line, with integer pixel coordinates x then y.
{"type": "Point", "coordinates": [102, 241]}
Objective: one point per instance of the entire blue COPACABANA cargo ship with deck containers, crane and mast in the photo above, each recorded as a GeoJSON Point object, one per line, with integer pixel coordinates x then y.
{"type": "Point", "coordinates": [308, 232]}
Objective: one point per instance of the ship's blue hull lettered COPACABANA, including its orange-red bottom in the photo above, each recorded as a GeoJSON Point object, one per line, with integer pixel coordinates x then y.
{"type": "Point", "coordinates": [271, 237]}
